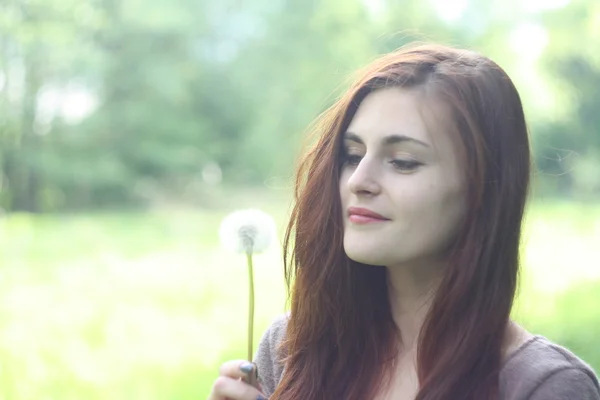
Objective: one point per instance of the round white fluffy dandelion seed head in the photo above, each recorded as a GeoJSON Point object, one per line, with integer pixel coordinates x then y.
{"type": "Point", "coordinates": [247, 231]}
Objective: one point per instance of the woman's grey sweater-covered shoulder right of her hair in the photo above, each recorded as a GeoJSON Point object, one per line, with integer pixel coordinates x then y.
{"type": "Point", "coordinates": [540, 369]}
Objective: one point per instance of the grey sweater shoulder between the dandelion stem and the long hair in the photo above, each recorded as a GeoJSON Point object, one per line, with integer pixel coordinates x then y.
{"type": "Point", "coordinates": [269, 358]}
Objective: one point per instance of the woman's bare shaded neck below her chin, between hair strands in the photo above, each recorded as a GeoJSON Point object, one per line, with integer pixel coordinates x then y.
{"type": "Point", "coordinates": [411, 292]}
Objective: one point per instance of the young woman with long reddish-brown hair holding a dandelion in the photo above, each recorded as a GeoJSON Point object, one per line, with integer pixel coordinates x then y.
{"type": "Point", "coordinates": [405, 236]}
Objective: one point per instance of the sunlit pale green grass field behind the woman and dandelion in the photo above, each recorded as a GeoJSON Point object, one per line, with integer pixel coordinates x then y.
{"type": "Point", "coordinates": [146, 306]}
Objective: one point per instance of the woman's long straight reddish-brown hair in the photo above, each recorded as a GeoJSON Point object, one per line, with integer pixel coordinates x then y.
{"type": "Point", "coordinates": [341, 337]}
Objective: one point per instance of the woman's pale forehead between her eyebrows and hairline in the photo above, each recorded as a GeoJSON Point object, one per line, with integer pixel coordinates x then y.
{"type": "Point", "coordinates": [406, 112]}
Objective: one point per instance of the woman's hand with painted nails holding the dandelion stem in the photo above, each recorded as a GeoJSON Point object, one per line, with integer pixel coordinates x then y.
{"type": "Point", "coordinates": [231, 384]}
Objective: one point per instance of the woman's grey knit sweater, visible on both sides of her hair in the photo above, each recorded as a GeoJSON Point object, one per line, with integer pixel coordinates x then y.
{"type": "Point", "coordinates": [538, 370]}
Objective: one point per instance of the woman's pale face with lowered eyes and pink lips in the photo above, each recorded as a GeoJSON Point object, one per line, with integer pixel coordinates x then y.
{"type": "Point", "coordinates": [402, 188]}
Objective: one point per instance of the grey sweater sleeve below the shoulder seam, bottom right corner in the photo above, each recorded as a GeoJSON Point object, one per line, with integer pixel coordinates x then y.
{"type": "Point", "coordinates": [568, 384]}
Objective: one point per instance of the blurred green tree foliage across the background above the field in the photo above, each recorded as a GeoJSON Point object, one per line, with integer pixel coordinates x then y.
{"type": "Point", "coordinates": [107, 103]}
